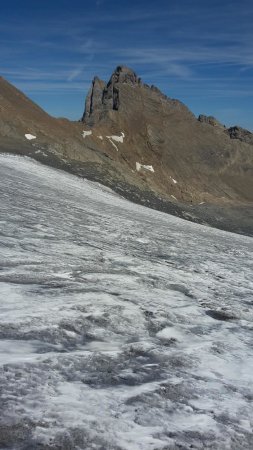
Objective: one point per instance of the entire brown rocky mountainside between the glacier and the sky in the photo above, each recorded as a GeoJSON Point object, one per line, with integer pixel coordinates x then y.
{"type": "Point", "coordinates": [144, 145]}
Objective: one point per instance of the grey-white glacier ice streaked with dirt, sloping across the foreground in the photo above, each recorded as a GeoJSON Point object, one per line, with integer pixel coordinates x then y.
{"type": "Point", "coordinates": [120, 327]}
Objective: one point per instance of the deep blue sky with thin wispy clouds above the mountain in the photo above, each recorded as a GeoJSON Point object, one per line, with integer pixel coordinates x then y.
{"type": "Point", "coordinates": [198, 51]}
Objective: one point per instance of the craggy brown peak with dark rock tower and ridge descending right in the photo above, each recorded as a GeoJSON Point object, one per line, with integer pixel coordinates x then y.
{"type": "Point", "coordinates": [160, 128]}
